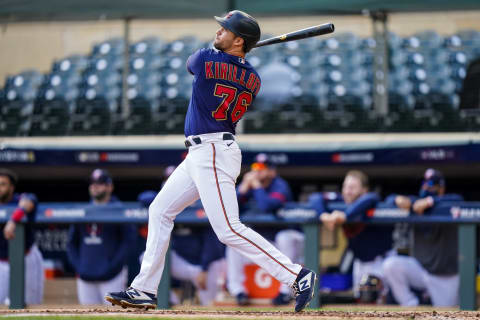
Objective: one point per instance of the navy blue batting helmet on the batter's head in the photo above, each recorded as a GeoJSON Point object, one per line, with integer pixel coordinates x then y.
{"type": "Point", "coordinates": [242, 25]}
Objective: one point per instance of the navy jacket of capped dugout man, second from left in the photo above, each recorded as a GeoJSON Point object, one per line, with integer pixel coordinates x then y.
{"type": "Point", "coordinates": [98, 252]}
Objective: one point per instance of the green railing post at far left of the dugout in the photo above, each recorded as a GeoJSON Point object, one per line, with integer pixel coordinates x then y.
{"type": "Point", "coordinates": [16, 259]}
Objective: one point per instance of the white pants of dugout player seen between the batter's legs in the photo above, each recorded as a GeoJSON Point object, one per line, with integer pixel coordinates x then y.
{"type": "Point", "coordinates": [181, 269]}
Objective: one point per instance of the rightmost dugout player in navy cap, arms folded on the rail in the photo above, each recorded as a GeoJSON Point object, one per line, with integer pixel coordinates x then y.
{"type": "Point", "coordinates": [432, 266]}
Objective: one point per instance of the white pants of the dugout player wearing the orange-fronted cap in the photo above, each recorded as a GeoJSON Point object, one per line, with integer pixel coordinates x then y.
{"type": "Point", "coordinates": [290, 242]}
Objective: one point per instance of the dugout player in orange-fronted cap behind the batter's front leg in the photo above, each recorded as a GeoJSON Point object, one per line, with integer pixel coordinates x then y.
{"type": "Point", "coordinates": [262, 190]}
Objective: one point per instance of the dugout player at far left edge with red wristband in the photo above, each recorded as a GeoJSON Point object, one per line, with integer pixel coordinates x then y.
{"type": "Point", "coordinates": [26, 207]}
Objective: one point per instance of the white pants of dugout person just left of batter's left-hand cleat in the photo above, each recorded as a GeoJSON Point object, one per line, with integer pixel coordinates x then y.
{"type": "Point", "coordinates": [93, 292]}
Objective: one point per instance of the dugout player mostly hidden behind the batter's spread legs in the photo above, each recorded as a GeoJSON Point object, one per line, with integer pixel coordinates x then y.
{"type": "Point", "coordinates": [196, 255]}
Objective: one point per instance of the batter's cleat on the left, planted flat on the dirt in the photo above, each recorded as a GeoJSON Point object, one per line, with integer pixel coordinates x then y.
{"type": "Point", "coordinates": [132, 298]}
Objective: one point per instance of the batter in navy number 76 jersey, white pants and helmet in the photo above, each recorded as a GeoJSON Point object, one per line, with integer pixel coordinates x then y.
{"type": "Point", "coordinates": [224, 86]}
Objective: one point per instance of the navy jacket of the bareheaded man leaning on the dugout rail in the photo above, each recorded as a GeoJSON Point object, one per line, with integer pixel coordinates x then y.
{"type": "Point", "coordinates": [365, 241]}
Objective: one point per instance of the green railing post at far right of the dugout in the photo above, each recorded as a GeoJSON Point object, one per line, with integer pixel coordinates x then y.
{"type": "Point", "coordinates": [467, 265]}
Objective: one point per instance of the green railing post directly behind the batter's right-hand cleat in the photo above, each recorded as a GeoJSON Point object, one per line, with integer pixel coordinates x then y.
{"type": "Point", "coordinates": [311, 231]}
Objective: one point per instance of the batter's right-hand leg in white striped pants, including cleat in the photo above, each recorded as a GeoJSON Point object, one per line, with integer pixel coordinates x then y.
{"type": "Point", "coordinates": [214, 167]}
